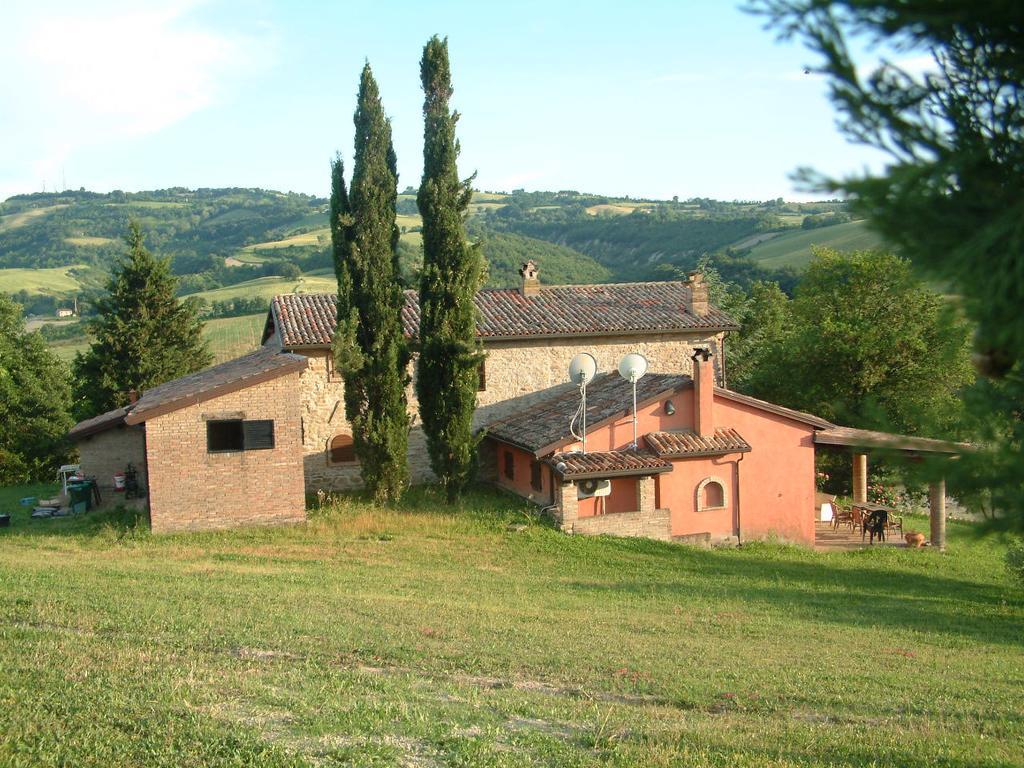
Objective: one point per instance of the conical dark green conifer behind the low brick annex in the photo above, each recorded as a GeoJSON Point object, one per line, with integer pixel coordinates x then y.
{"type": "Point", "coordinates": [143, 335]}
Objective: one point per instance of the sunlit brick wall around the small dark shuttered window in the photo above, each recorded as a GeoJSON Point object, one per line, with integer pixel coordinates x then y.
{"type": "Point", "coordinates": [191, 489]}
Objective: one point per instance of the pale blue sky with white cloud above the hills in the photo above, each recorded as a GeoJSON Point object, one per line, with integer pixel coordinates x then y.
{"type": "Point", "coordinates": [648, 99]}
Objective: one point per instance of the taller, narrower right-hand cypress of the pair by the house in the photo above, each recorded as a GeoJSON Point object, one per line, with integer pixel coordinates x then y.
{"type": "Point", "coordinates": [453, 271]}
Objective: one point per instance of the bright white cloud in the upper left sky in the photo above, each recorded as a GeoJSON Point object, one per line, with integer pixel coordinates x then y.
{"type": "Point", "coordinates": [97, 74]}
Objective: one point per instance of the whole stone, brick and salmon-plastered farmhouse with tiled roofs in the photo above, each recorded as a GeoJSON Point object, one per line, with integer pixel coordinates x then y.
{"type": "Point", "coordinates": [246, 442]}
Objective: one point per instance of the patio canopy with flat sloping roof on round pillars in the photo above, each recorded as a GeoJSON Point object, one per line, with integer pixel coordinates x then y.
{"type": "Point", "coordinates": [862, 441]}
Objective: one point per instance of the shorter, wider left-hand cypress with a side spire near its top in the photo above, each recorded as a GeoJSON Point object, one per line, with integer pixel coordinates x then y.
{"type": "Point", "coordinates": [369, 348]}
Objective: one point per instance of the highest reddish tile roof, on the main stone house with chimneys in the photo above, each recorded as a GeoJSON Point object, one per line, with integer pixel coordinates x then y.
{"type": "Point", "coordinates": [309, 320]}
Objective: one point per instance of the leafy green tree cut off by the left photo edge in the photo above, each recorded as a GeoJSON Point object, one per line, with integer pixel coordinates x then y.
{"type": "Point", "coordinates": [35, 399]}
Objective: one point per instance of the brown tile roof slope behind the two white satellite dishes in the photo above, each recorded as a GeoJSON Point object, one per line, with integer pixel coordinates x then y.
{"type": "Point", "coordinates": [545, 426]}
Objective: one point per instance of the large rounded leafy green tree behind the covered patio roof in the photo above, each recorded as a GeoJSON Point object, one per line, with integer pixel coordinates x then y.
{"type": "Point", "coordinates": [866, 345]}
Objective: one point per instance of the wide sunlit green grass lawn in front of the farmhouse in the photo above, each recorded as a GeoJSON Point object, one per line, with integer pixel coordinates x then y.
{"type": "Point", "coordinates": [432, 636]}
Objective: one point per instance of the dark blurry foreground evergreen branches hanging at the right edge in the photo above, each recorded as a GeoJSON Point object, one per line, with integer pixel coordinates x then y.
{"type": "Point", "coordinates": [952, 198]}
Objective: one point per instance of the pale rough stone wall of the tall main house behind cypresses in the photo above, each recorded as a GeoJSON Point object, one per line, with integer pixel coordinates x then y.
{"type": "Point", "coordinates": [517, 374]}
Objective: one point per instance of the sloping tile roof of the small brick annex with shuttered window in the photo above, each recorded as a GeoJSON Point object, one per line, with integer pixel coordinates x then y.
{"type": "Point", "coordinates": [264, 365]}
